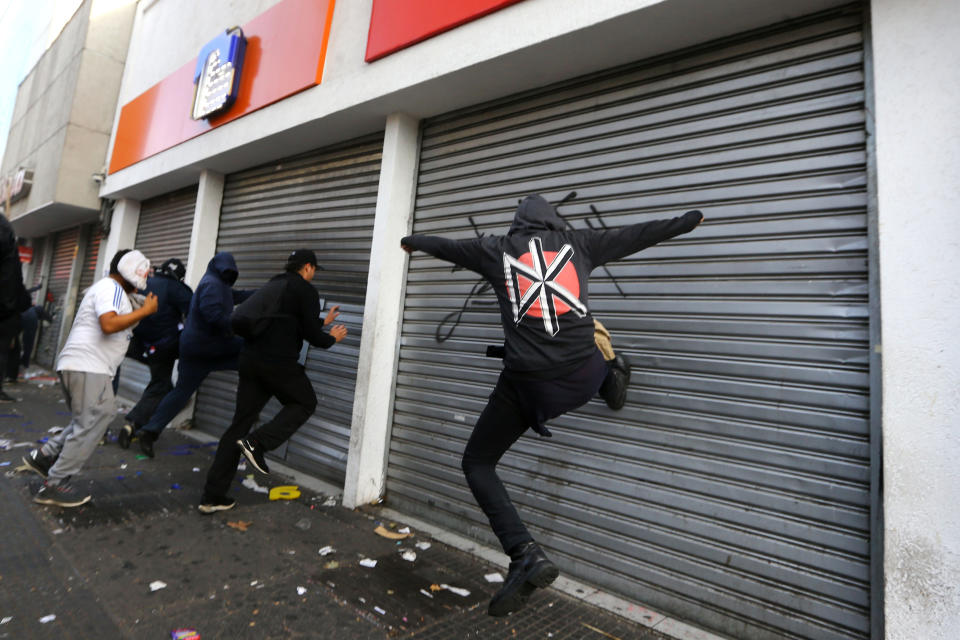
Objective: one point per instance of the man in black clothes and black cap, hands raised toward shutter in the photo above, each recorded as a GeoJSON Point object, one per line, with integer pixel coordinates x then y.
{"type": "Point", "coordinates": [270, 367]}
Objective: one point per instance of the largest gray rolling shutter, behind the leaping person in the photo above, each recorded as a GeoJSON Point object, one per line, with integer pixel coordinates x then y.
{"type": "Point", "coordinates": [733, 488]}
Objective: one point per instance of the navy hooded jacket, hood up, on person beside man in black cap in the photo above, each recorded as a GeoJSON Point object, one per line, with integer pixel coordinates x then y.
{"type": "Point", "coordinates": [206, 333]}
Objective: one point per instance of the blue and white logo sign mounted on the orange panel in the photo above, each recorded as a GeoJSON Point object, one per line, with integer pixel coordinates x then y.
{"type": "Point", "coordinates": [217, 76]}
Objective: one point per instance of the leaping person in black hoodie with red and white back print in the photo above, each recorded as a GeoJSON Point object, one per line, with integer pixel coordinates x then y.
{"type": "Point", "coordinates": [539, 272]}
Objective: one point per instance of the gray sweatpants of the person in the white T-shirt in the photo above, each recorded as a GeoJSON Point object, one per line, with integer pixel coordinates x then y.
{"type": "Point", "coordinates": [90, 399]}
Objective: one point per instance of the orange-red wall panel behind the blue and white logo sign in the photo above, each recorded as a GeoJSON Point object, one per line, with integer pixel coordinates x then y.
{"type": "Point", "coordinates": [286, 49]}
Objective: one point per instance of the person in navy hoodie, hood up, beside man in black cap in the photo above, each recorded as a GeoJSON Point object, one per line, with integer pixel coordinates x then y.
{"type": "Point", "coordinates": [207, 343]}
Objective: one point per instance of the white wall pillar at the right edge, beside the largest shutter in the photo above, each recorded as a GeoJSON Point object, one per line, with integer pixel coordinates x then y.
{"type": "Point", "coordinates": [916, 54]}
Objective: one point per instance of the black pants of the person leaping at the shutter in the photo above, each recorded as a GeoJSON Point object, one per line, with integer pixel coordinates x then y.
{"type": "Point", "coordinates": [515, 404]}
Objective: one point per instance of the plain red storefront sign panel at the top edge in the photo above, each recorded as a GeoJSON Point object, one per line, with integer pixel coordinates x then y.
{"type": "Point", "coordinates": [396, 24]}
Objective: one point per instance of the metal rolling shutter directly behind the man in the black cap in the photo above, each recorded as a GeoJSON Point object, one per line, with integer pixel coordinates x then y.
{"type": "Point", "coordinates": [324, 201]}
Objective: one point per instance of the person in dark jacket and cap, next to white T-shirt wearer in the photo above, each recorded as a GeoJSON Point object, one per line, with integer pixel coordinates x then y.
{"type": "Point", "coordinates": [157, 342]}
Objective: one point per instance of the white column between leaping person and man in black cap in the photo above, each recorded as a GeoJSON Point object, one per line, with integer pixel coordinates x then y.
{"type": "Point", "coordinates": [382, 315]}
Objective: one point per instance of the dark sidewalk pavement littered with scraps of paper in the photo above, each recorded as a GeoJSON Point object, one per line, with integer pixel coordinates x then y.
{"type": "Point", "coordinates": [251, 572]}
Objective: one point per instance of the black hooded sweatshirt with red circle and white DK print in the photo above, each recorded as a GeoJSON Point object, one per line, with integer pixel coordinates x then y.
{"type": "Point", "coordinates": [539, 272]}
